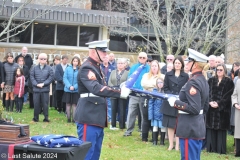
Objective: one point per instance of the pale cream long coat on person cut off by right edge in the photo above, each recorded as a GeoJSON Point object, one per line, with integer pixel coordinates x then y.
{"type": "Point", "coordinates": [236, 99]}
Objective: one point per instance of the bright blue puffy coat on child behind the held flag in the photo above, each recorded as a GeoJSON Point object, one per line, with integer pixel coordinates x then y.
{"type": "Point", "coordinates": [154, 106]}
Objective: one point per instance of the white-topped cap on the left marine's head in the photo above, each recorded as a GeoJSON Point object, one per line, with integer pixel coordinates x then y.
{"type": "Point", "coordinates": [99, 45]}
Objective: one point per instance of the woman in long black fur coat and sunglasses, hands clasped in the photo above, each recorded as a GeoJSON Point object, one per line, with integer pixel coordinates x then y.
{"type": "Point", "coordinates": [218, 116]}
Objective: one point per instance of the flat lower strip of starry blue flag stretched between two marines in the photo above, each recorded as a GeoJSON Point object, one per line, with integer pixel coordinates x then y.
{"type": "Point", "coordinates": [148, 94]}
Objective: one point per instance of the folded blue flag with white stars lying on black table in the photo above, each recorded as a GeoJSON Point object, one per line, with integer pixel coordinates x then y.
{"type": "Point", "coordinates": [53, 141]}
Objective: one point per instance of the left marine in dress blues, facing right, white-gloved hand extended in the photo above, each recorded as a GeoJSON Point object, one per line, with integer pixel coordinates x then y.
{"type": "Point", "coordinates": [91, 111]}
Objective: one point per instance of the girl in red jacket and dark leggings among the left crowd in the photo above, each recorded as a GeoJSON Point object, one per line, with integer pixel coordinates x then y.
{"type": "Point", "coordinates": [19, 89]}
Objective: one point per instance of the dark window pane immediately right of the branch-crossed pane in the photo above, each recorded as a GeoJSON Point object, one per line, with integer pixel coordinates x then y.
{"type": "Point", "coordinates": [43, 33]}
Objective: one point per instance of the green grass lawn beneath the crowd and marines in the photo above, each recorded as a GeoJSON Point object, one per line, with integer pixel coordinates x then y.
{"type": "Point", "coordinates": [115, 146]}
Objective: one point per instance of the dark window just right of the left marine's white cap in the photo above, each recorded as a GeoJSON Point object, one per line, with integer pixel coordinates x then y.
{"type": "Point", "coordinates": [117, 43]}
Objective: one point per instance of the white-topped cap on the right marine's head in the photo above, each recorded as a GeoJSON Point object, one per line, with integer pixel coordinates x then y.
{"type": "Point", "coordinates": [196, 56]}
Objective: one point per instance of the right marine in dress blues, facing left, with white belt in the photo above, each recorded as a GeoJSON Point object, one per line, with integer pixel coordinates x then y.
{"type": "Point", "coordinates": [192, 105]}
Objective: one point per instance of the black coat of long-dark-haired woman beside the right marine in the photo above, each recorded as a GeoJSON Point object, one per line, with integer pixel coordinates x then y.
{"type": "Point", "coordinates": [173, 85]}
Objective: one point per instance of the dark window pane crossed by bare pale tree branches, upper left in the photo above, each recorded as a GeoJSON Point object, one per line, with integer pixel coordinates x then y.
{"type": "Point", "coordinates": [21, 33]}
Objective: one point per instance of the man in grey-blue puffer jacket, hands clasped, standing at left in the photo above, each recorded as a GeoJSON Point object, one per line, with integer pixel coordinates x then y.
{"type": "Point", "coordinates": [41, 77]}
